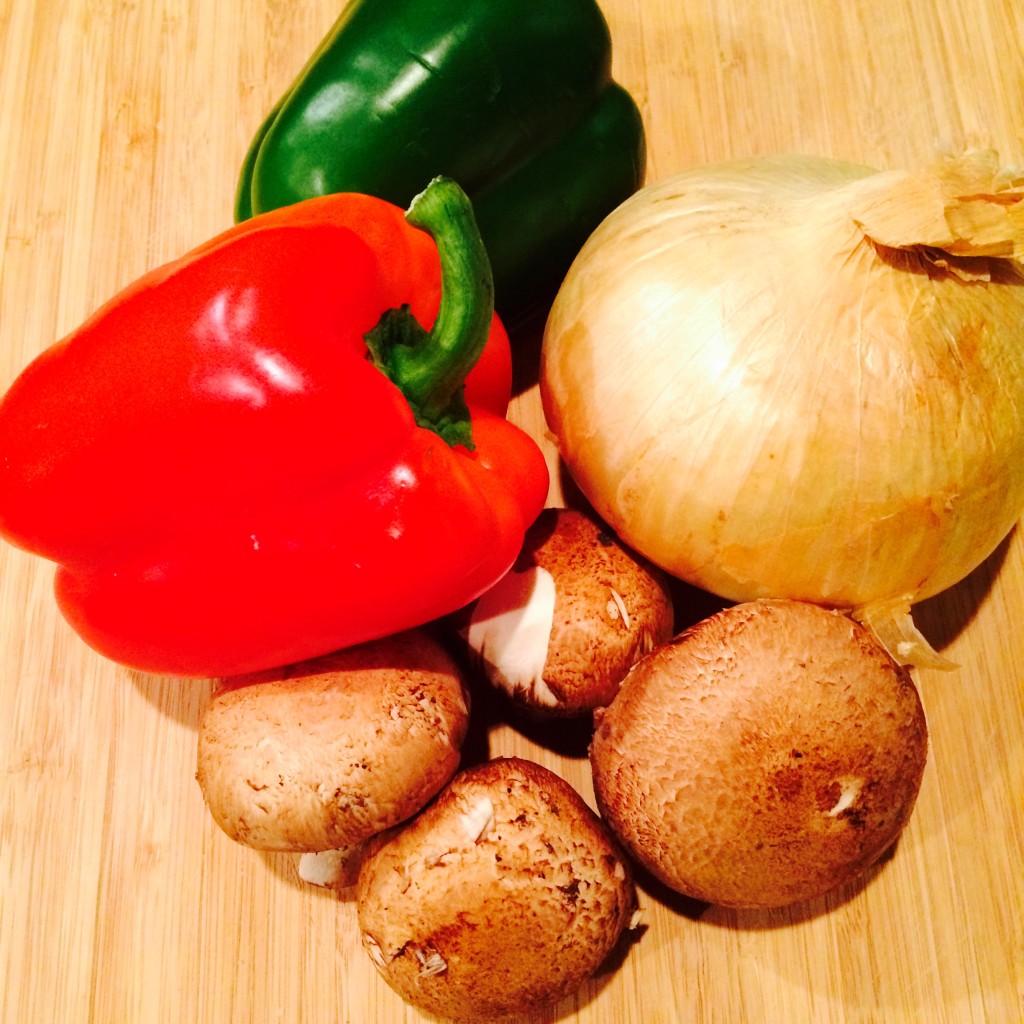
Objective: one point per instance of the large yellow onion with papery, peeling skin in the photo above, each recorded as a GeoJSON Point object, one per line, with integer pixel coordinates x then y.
{"type": "Point", "coordinates": [802, 378]}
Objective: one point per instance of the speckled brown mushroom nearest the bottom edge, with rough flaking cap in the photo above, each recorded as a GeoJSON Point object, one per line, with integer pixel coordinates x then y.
{"type": "Point", "coordinates": [503, 897]}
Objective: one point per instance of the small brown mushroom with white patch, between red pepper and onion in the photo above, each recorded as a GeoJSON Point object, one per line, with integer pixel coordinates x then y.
{"type": "Point", "coordinates": [561, 631]}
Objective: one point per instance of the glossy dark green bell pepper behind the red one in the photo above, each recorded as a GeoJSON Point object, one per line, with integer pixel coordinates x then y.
{"type": "Point", "coordinates": [513, 99]}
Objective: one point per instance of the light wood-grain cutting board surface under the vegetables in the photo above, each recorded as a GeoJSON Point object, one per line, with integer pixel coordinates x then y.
{"type": "Point", "coordinates": [122, 127]}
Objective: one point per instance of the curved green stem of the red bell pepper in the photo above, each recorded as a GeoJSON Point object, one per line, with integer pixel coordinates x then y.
{"type": "Point", "coordinates": [431, 368]}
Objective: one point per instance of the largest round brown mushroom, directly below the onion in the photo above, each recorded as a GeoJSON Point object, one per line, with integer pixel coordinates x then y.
{"type": "Point", "coordinates": [765, 757]}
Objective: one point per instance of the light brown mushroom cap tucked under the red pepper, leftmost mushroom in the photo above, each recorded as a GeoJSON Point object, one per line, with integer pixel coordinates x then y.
{"type": "Point", "coordinates": [325, 754]}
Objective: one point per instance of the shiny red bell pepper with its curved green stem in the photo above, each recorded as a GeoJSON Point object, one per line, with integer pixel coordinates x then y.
{"type": "Point", "coordinates": [236, 467]}
